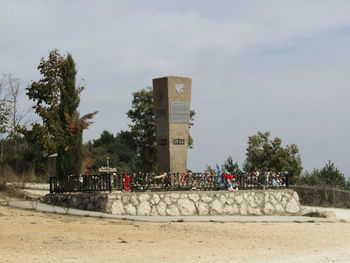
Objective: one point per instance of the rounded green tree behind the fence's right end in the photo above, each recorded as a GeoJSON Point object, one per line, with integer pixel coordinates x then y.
{"type": "Point", "coordinates": [265, 154]}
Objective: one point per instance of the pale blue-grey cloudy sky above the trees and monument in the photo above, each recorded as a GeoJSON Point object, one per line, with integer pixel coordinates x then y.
{"type": "Point", "coordinates": [278, 66]}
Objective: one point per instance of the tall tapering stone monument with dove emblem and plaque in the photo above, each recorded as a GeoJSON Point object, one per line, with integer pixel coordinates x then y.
{"type": "Point", "coordinates": [172, 97]}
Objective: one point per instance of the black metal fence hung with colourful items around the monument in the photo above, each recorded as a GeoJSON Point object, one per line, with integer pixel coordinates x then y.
{"type": "Point", "coordinates": [167, 182]}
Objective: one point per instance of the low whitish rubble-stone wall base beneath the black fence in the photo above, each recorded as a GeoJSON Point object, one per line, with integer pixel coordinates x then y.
{"type": "Point", "coordinates": [191, 203]}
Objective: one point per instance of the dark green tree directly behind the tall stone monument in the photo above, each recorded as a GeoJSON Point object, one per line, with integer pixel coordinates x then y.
{"type": "Point", "coordinates": [143, 131]}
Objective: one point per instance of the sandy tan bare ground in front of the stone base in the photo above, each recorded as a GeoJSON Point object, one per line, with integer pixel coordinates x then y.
{"type": "Point", "coordinates": [28, 236]}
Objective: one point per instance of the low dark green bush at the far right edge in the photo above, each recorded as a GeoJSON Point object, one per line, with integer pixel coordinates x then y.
{"type": "Point", "coordinates": [329, 176]}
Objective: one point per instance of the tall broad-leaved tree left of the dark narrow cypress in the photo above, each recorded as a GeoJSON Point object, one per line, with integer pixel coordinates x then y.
{"type": "Point", "coordinates": [46, 94]}
